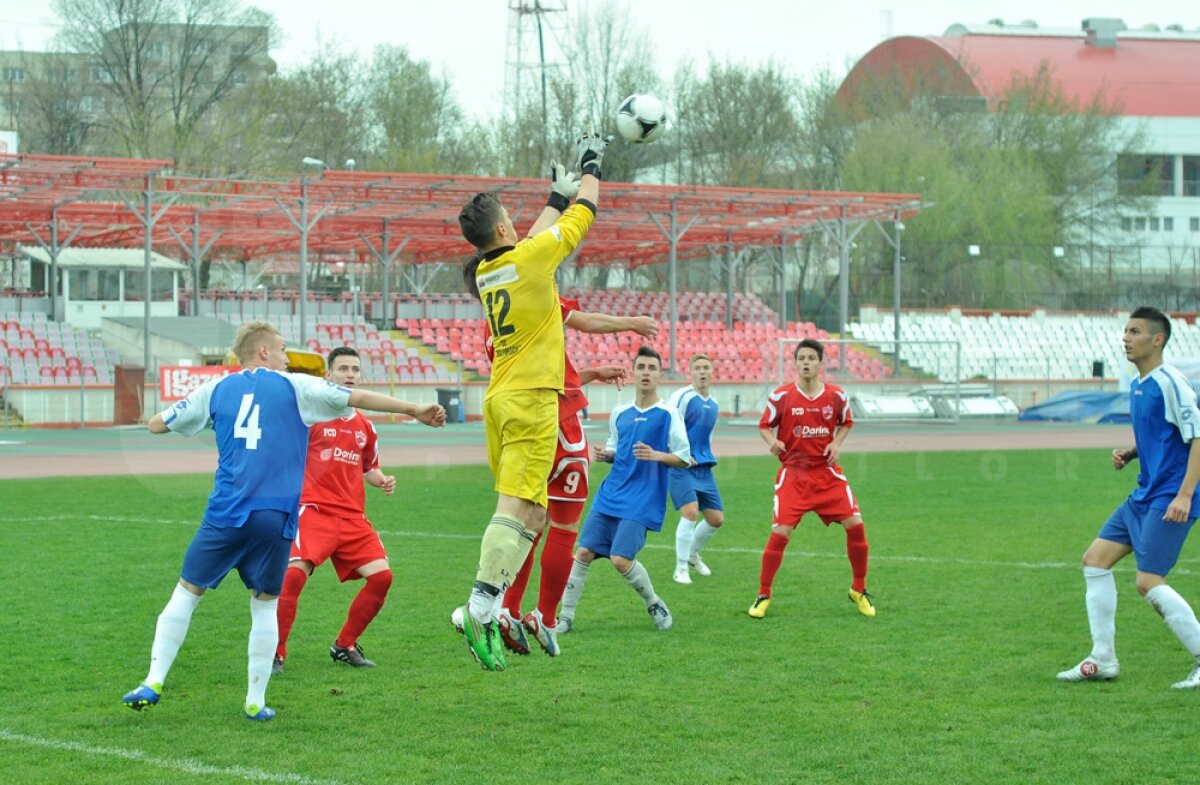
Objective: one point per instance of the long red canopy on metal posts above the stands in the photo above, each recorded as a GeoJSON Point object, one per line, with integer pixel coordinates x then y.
{"type": "Point", "coordinates": [365, 217]}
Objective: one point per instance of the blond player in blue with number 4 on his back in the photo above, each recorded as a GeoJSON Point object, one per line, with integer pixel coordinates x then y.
{"type": "Point", "coordinates": [261, 418]}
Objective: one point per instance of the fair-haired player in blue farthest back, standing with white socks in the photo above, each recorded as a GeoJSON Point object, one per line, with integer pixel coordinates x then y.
{"type": "Point", "coordinates": [694, 490]}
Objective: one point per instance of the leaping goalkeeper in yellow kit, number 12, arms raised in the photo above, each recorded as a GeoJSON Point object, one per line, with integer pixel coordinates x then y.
{"type": "Point", "coordinates": [520, 297]}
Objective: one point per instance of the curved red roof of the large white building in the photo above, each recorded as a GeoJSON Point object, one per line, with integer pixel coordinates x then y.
{"type": "Point", "coordinates": [1142, 73]}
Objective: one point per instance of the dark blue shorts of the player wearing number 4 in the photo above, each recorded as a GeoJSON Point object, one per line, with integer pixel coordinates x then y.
{"type": "Point", "coordinates": [257, 549]}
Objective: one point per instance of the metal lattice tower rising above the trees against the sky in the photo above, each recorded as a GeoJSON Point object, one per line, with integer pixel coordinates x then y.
{"type": "Point", "coordinates": [535, 50]}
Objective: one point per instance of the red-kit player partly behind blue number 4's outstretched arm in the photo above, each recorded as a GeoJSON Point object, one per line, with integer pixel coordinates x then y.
{"type": "Point", "coordinates": [343, 454]}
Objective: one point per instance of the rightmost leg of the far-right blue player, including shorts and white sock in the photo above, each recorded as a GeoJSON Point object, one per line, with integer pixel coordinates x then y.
{"type": "Point", "coordinates": [1161, 544]}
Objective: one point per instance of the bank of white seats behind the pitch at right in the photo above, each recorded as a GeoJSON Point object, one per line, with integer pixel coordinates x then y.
{"type": "Point", "coordinates": [1036, 346]}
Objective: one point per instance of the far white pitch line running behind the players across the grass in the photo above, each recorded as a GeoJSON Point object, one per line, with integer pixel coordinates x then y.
{"type": "Point", "coordinates": [791, 553]}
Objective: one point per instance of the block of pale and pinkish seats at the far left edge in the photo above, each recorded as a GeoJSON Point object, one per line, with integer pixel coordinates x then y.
{"type": "Point", "coordinates": [37, 351]}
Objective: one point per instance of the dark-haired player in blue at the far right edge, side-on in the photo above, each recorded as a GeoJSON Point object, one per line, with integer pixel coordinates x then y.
{"type": "Point", "coordinates": [1155, 522]}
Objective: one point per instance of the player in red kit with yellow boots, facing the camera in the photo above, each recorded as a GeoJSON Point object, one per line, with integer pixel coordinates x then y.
{"type": "Point", "coordinates": [806, 424]}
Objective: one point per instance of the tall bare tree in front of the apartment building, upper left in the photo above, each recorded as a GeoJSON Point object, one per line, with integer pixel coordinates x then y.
{"type": "Point", "coordinates": [166, 64]}
